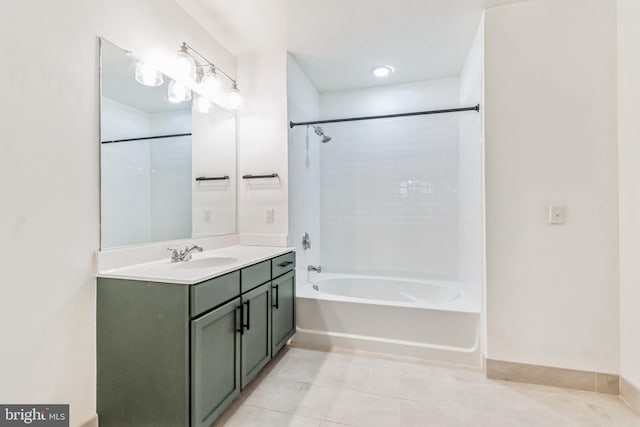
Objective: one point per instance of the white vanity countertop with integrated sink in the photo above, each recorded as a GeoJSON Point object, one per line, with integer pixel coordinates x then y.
{"type": "Point", "coordinates": [196, 270]}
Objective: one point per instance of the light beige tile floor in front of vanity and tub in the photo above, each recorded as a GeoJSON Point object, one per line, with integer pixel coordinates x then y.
{"type": "Point", "coordinates": [307, 388]}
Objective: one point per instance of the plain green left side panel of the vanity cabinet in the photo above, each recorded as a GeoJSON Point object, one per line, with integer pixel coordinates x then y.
{"type": "Point", "coordinates": [143, 362]}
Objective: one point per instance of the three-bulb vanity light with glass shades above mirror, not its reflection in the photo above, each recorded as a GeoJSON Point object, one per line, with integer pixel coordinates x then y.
{"type": "Point", "coordinates": [205, 72]}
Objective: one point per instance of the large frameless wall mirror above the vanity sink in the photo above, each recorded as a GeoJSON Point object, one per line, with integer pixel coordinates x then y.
{"type": "Point", "coordinates": [167, 171]}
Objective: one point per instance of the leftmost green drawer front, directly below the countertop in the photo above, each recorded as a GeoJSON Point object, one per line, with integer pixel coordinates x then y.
{"type": "Point", "coordinates": [209, 294]}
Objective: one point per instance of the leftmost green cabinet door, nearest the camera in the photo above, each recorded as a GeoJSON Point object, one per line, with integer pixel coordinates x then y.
{"type": "Point", "coordinates": [215, 363]}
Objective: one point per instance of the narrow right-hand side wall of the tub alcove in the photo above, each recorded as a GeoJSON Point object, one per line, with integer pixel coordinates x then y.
{"type": "Point", "coordinates": [470, 172]}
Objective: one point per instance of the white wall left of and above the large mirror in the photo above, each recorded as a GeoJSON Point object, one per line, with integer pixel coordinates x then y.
{"type": "Point", "coordinates": [49, 171]}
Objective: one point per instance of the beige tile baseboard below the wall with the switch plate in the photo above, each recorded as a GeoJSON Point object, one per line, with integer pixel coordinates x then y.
{"type": "Point", "coordinates": [557, 377]}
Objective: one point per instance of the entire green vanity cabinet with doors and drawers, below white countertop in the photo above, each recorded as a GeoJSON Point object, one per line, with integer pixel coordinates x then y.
{"type": "Point", "coordinates": [176, 355]}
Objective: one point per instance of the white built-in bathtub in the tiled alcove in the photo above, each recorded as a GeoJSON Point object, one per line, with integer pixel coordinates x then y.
{"type": "Point", "coordinates": [396, 316]}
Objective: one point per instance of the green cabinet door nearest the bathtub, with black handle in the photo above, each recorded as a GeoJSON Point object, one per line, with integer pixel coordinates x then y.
{"type": "Point", "coordinates": [283, 293]}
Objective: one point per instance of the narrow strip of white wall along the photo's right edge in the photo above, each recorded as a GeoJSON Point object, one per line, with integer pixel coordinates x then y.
{"type": "Point", "coordinates": [629, 193]}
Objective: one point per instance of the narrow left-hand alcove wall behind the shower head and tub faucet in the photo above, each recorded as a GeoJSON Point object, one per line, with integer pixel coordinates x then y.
{"type": "Point", "coordinates": [303, 104]}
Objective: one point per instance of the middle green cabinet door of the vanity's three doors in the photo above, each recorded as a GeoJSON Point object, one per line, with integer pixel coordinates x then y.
{"type": "Point", "coordinates": [256, 337]}
